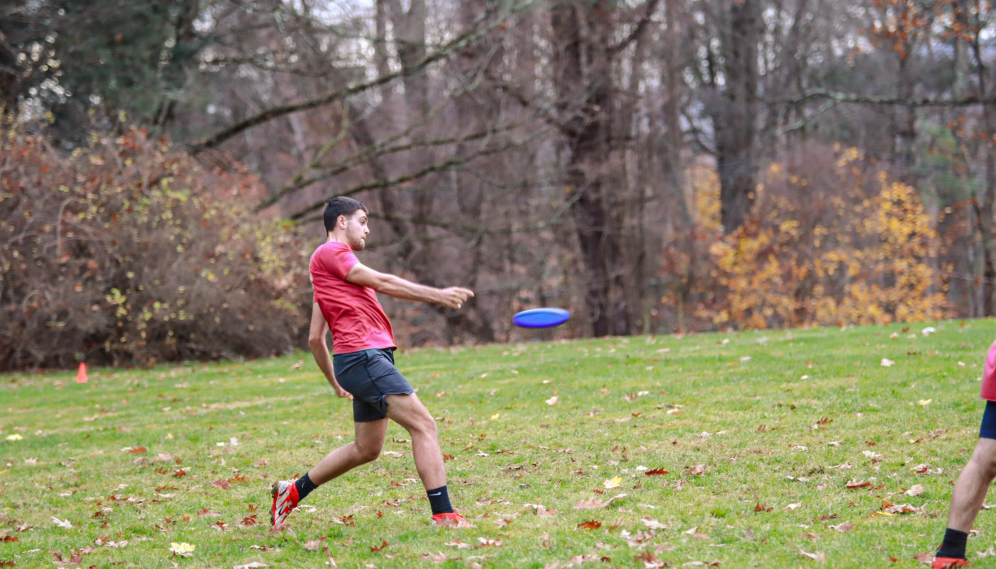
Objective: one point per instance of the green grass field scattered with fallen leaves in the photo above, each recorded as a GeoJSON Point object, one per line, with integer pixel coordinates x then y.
{"type": "Point", "coordinates": [731, 448]}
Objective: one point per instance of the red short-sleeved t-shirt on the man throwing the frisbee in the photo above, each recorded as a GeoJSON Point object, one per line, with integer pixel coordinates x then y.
{"type": "Point", "coordinates": [355, 317]}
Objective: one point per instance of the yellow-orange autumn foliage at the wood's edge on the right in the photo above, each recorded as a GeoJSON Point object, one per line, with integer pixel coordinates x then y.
{"type": "Point", "coordinates": [845, 245]}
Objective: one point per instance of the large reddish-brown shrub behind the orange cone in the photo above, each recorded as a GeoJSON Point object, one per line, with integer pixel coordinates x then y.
{"type": "Point", "coordinates": [127, 252]}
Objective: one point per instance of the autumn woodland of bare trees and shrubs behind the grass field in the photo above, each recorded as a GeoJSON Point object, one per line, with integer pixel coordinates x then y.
{"type": "Point", "coordinates": [655, 166]}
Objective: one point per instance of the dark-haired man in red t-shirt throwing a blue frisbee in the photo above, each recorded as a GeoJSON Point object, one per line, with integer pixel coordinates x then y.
{"type": "Point", "coordinates": [362, 368]}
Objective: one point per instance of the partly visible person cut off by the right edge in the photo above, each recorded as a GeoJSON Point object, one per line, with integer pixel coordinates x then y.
{"type": "Point", "coordinates": [970, 489]}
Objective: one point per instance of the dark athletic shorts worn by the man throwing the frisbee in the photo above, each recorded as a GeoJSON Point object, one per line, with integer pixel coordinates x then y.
{"type": "Point", "coordinates": [370, 376]}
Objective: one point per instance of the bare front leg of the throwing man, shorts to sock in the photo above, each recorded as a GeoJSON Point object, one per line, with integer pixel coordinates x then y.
{"type": "Point", "coordinates": [408, 411]}
